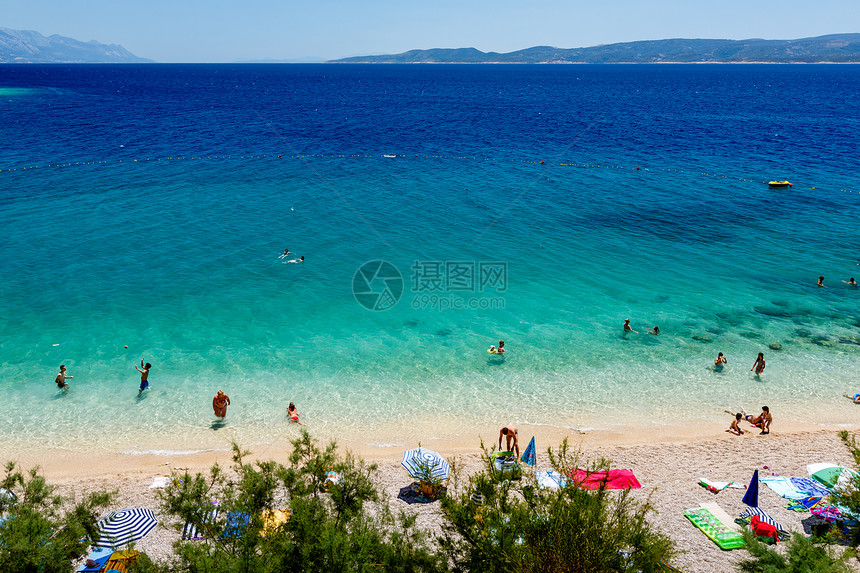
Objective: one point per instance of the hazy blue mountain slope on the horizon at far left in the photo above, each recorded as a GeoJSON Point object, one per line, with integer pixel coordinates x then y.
{"type": "Point", "coordinates": [28, 47]}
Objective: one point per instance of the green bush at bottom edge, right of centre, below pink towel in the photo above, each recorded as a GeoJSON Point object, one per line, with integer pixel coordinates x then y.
{"type": "Point", "coordinates": [528, 529]}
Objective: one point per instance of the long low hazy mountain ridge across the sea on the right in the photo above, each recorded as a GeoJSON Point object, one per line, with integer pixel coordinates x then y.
{"type": "Point", "coordinates": [841, 48]}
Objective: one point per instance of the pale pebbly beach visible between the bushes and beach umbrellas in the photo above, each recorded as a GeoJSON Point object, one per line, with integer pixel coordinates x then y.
{"type": "Point", "coordinates": [669, 470]}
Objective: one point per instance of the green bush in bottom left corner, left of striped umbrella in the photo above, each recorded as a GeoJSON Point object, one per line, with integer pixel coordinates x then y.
{"type": "Point", "coordinates": [42, 531]}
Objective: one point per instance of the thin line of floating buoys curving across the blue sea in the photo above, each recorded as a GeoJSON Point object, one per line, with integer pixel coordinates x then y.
{"type": "Point", "coordinates": [388, 156]}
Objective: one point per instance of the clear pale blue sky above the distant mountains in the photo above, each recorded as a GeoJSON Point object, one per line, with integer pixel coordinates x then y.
{"type": "Point", "coordinates": [234, 30]}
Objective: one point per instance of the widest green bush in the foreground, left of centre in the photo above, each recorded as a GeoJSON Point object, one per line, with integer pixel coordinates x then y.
{"type": "Point", "coordinates": [328, 530]}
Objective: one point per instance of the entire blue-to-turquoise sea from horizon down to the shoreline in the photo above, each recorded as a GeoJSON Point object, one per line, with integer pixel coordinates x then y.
{"type": "Point", "coordinates": [440, 209]}
